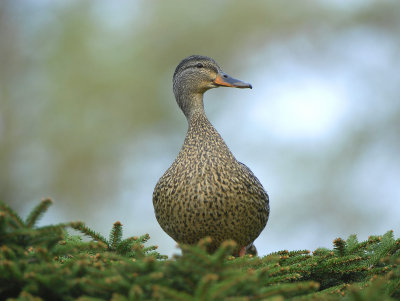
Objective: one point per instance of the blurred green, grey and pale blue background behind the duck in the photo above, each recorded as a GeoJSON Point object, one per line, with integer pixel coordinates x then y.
{"type": "Point", "coordinates": [88, 117]}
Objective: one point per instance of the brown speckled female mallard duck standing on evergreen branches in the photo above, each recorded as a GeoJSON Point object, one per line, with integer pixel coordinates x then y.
{"type": "Point", "coordinates": [206, 191]}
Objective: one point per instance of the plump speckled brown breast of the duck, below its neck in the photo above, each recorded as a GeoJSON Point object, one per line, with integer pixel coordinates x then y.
{"type": "Point", "coordinates": [215, 198]}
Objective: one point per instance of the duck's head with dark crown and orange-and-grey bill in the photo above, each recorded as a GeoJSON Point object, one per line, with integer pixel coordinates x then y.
{"type": "Point", "coordinates": [195, 75]}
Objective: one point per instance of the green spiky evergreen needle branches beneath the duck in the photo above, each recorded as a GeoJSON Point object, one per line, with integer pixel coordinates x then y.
{"type": "Point", "coordinates": [47, 263]}
